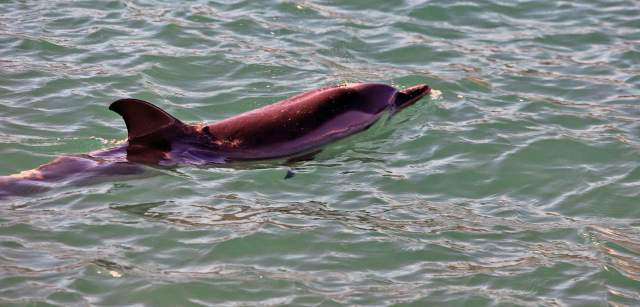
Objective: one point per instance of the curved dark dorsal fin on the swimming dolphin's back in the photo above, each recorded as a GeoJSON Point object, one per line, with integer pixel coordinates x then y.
{"type": "Point", "coordinates": [144, 120]}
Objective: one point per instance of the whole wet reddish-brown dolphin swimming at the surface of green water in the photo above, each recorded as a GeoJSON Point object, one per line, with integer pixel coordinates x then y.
{"type": "Point", "coordinates": [290, 128]}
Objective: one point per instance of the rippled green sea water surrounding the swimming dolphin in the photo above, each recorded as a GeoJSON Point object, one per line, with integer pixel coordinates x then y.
{"type": "Point", "coordinates": [518, 185]}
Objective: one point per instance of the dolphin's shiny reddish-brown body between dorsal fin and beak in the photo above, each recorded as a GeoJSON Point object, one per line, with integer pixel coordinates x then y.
{"type": "Point", "coordinates": [304, 121]}
